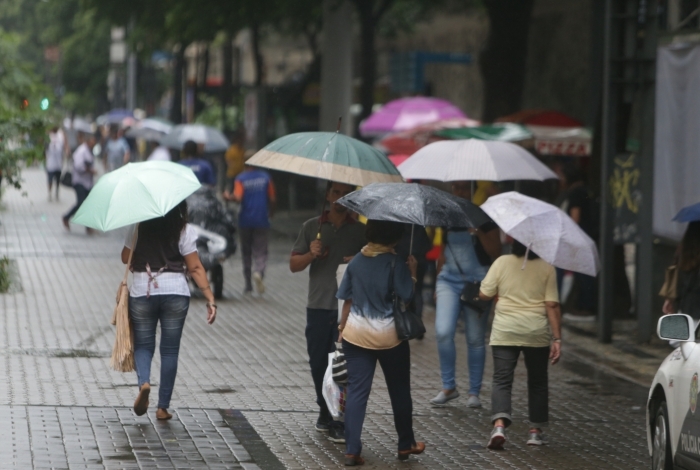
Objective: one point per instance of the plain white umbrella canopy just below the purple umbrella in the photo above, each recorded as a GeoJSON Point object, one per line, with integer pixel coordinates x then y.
{"type": "Point", "coordinates": [472, 159]}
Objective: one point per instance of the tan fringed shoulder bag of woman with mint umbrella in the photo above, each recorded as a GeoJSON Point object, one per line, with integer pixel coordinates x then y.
{"type": "Point", "coordinates": [123, 350]}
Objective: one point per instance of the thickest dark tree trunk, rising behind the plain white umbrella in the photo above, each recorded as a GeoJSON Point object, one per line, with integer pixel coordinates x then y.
{"type": "Point", "coordinates": [504, 59]}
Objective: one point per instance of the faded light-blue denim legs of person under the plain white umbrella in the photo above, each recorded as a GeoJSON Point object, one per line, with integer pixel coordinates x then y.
{"type": "Point", "coordinates": [447, 312]}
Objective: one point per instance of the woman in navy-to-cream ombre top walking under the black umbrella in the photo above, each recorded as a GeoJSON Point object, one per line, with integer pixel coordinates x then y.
{"type": "Point", "coordinates": [368, 334]}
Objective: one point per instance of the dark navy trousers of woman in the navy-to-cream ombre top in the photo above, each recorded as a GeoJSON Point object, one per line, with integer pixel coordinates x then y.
{"type": "Point", "coordinates": [396, 365]}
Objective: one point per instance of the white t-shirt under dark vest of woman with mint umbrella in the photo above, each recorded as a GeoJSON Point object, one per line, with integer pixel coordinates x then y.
{"type": "Point", "coordinates": [167, 283]}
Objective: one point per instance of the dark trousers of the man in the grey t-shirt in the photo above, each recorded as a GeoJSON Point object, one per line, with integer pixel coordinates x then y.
{"type": "Point", "coordinates": [321, 335]}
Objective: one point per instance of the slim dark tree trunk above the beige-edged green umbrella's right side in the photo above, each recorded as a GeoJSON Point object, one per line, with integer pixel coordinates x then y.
{"type": "Point", "coordinates": [368, 65]}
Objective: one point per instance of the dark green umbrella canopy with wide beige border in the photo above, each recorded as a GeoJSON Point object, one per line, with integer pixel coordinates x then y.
{"type": "Point", "coordinates": [327, 155]}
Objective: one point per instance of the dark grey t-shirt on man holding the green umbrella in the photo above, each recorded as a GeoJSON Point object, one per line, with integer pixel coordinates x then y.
{"type": "Point", "coordinates": [347, 240]}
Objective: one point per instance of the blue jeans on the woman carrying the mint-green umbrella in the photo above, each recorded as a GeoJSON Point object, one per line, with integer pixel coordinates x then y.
{"type": "Point", "coordinates": [145, 312]}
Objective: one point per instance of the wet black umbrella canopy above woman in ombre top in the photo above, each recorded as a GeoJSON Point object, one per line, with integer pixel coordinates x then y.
{"type": "Point", "coordinates": [414, 204]}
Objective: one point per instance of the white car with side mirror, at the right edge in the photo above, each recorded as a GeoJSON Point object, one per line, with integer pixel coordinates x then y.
{"type": "Point", "coordinates": [673, 415]}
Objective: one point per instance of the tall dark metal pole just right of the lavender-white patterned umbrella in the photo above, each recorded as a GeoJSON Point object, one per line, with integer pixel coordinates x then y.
{"type": "Point", "coordinates": [606, 277]}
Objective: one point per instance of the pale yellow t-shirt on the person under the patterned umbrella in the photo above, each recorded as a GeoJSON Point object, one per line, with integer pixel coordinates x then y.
{"type": "Point", "coordinates": [521, 316]}
